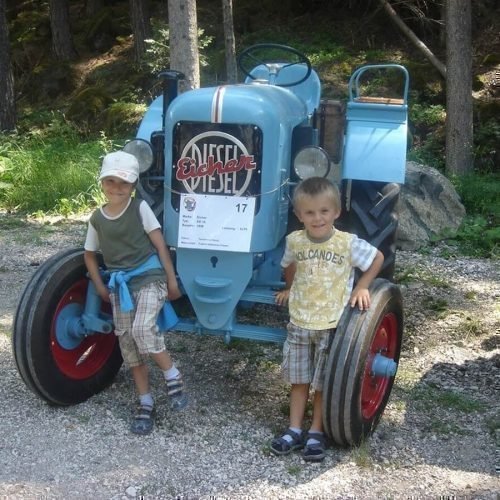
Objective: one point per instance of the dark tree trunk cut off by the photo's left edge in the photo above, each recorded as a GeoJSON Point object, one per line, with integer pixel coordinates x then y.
{"type": "Point", "coordinates": [7, 100]}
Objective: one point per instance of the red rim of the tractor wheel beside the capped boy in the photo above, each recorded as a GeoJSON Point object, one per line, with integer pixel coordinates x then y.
{"type": "Point", "coordinates": [94, 351]}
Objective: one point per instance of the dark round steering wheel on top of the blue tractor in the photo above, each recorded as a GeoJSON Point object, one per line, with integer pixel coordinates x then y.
{"type": "Point", "coordinates": [255, 55]}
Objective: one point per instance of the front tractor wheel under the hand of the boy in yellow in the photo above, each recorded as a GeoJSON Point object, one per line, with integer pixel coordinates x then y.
{"type": "Point", "coordinates": [353, 397]}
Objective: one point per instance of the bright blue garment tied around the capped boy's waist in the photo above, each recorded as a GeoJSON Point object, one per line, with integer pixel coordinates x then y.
{"type": "Point", "coordinates": [167, 317]}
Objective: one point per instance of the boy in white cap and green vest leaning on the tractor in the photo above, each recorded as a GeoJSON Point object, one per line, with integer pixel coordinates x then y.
{"type": "Point", "coordinates": [128, 234]}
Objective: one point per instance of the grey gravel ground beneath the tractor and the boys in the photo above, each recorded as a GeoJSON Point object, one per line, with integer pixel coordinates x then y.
{"type": "Point", "coordinates": [436, 438]}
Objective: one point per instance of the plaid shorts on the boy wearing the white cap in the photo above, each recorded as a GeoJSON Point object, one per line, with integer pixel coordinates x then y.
{"type": "Point", "coordinates": [136, 330]}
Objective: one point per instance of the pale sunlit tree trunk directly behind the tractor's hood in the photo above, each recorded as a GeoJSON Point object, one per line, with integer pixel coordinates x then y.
{"type": "Point", "coordinates": [184, 55]}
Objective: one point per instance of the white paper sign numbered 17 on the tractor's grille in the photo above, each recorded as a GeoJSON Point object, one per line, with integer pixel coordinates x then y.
{"type": "Point", "coordinates": [216, 222]}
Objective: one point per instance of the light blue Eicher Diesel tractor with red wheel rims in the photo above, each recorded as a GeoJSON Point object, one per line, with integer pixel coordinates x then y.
{"type": "Point", "coordinates": [218, 167]}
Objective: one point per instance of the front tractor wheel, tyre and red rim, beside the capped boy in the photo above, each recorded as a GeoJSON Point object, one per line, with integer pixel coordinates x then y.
{"type": "Point", "coordinates": [61, 376]}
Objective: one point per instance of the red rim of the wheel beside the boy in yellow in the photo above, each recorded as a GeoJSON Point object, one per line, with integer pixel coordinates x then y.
{"type": "Point", "coordinates": [374, 388]}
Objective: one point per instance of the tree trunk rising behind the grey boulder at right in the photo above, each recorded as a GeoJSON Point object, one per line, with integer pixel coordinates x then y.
{"type": "Point", "coordinates": [459, 127]}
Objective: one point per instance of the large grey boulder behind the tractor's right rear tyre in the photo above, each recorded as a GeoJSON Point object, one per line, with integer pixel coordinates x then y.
{"type": "Point", "coordinates": [427, 206]}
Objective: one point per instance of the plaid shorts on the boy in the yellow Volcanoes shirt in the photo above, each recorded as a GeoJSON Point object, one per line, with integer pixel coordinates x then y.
{"type": "Point", "coordinates": [304, 356]}
